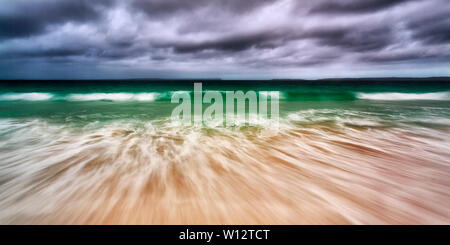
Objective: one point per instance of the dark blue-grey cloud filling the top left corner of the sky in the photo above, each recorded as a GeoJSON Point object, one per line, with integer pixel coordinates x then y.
{"type": "Point", "coordinates": [26, 18]}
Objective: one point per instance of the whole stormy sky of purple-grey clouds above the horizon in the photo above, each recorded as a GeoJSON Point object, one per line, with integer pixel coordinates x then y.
{"type": "Point", "coordinates": [229, 39]}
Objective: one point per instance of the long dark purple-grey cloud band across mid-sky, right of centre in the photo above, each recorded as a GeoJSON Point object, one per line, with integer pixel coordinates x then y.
{"type": "Point", "coordinates": [357, 39]}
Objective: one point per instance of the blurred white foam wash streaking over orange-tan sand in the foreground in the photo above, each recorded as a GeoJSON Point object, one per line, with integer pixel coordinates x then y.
{"type": "Point", "coordinates": [157, 174]}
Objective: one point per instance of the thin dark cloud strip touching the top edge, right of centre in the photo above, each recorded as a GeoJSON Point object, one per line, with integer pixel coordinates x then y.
{"type": "Point", "coordinates": [354, 6]}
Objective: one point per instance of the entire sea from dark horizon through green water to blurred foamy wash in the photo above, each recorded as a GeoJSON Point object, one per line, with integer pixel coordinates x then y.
{"type": "Point", "coordinates": [346, 151]}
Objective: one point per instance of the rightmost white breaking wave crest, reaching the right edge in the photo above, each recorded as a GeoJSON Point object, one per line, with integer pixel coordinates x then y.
{"type": "Point", "coordinates": [405, 96]}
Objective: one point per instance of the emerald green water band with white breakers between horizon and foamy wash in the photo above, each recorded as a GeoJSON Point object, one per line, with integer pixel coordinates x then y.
{"type": "Point", "coordinates": [83, 102]}
